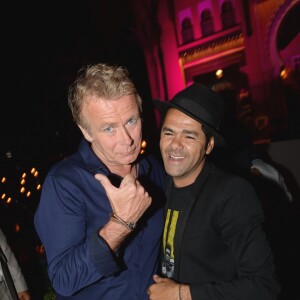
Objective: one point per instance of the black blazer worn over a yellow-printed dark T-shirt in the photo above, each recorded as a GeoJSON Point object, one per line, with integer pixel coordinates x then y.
{"type": "Point", "coordinates": [220, 247]}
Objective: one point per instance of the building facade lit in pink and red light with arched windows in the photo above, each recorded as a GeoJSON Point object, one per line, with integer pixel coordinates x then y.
{"type": "Point", "coordinates": [254, 44]}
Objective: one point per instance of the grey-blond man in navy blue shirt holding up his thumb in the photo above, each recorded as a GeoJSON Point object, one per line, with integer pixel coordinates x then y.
{"type": "Point", "coordinates": [100, 214]}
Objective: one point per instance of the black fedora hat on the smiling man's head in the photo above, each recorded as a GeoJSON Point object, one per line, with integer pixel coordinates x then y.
{"type": "Point", "coordinates": [200, 103]}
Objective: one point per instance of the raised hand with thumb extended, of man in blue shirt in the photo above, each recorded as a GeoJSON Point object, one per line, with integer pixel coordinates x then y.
{"type": "Point", "coordinates": [130, 200]}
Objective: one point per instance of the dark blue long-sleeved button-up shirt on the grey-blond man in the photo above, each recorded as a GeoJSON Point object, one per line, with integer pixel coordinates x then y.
{"type": "Point", "coordinates": [72, 209]}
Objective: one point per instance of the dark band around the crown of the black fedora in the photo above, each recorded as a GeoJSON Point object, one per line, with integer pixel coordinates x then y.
{"type": "Point", "coordinates": [195, 110]}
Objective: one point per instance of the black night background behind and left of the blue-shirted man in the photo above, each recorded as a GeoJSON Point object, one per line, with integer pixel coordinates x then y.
{"type": "Point", "coordinates": [43, 46]}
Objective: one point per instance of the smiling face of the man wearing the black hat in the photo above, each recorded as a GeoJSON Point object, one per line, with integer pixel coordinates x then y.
{"type": "Point", "coordinates": [182, 145]}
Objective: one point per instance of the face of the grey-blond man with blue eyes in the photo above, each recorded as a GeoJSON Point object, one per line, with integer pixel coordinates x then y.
{"type": "Point", "coordinates": [115, 130]}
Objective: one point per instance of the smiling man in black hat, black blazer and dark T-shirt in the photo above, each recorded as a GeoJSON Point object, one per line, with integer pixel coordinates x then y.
{"type": "Point", "coordinates": [213, 240]}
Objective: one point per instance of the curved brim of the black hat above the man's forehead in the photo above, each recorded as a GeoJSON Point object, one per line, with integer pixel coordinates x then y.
{"type": "Point", "coordinates": [163, 106]}
